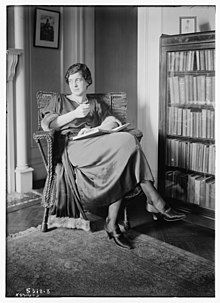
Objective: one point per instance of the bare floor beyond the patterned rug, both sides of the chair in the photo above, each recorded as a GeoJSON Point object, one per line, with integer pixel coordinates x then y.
{"type": "Point", "coordinates": [189, 236]}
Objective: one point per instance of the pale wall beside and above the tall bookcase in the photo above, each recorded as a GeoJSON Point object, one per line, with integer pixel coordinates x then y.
{"type": "Point", "coordinates": [152, 22]}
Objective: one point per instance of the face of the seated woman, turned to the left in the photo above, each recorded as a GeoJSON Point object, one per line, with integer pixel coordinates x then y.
{"type": "Point", "coordinates": [77, 84]}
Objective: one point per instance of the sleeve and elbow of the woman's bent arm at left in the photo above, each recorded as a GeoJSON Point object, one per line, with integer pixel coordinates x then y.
{"type": "Point", "coordinates": [50, 112]}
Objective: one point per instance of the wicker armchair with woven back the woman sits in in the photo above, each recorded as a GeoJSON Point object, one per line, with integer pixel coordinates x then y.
{"type": "Point", "coordinates": [118, 105]}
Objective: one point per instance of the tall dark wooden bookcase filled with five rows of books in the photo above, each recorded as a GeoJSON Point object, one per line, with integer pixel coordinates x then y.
{"type": "Point", "coordinates": [186, 159]}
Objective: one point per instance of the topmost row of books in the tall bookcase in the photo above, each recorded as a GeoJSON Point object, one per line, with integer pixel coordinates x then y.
{"type": "Point", "coordinates": [192, 60]}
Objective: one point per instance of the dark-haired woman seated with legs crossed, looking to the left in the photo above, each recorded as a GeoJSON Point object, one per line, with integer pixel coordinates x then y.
{"type": "Point", "coordinates": [107, 167]}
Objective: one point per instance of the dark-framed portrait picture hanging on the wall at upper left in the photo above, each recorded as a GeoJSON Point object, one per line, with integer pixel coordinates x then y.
{"type": "Point", "coordinates": [47, 25]}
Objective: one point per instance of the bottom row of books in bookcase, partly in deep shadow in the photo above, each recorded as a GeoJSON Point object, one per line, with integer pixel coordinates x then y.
{"type": "Point", "coordinates": [191, 188]}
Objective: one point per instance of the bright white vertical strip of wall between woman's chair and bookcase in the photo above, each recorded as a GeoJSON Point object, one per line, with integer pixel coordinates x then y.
{"type": "Point", "coordinates": [149, 31]}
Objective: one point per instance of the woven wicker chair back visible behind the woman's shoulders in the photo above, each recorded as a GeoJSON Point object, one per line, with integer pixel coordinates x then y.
{"type": "Point", "coordinates": [117, 103]}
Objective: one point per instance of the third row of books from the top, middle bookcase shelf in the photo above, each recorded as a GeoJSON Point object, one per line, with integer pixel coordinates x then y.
{"type": "Point", "coordinates": [198, 123]}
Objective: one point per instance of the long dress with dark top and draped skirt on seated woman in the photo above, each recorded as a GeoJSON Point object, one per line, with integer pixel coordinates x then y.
{"type": "Point", "coordinates": [107, 167]}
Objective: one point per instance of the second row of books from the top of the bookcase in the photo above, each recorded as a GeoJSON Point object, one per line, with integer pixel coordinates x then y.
{"type": "Point", "coordinates": [199, 89]}
